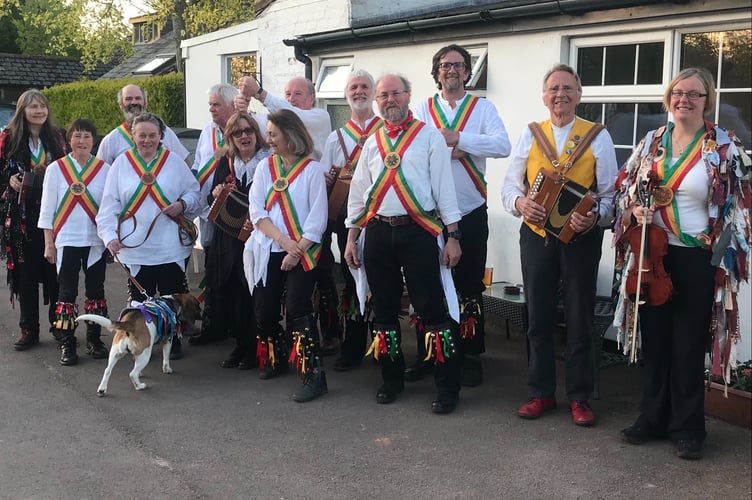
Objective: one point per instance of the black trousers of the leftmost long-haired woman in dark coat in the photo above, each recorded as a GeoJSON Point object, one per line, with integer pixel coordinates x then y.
{"type": "Point", "coordinates": [28, 275]}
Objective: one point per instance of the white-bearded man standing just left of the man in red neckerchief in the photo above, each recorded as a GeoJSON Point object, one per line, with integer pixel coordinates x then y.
{"type": "Point", "coordinates": [342, 150]}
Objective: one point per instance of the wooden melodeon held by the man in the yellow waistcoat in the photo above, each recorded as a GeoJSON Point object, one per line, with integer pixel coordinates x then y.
{"type": "Point", "coordinates": [560, 198]}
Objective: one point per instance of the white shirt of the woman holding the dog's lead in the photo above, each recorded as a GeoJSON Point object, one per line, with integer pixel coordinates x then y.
{"type": "Point", "coordinates": [163, 245]}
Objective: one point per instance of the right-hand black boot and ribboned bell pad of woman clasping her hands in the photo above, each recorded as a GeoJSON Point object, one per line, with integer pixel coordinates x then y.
{"type": "Point", "coordinates": [306, 359]}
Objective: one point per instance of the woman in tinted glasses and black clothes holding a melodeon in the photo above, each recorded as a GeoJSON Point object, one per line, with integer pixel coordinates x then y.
{"type": "Point", "coordinates": [232, 305]}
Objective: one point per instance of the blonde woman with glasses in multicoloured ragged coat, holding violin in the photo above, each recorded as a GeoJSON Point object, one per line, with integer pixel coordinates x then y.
{"type": "Point", "coordinates": [686, 179]}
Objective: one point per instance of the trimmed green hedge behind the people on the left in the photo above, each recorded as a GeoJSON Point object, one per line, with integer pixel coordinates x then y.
{"type": "Point", "coordinates": [97, 100]}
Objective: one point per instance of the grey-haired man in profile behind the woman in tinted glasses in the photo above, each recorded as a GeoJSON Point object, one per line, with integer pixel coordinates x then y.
{"type": "Point", "coordinates": [209, 150]}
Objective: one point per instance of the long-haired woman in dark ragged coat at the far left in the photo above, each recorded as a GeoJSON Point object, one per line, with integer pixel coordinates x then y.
{"type": "Point", "coordinates": [28, 144]}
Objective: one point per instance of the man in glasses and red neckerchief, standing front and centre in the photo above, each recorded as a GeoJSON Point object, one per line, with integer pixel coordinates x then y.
{"type": "Point", "coordinates": [402, 187]}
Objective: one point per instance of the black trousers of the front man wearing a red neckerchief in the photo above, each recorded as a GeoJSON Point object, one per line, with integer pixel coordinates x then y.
{"type": "Point", "coordinates": [390, 251]}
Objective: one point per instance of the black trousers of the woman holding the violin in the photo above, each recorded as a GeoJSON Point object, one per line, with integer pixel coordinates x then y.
{"type": "Point", "coordinates": [674, 340]}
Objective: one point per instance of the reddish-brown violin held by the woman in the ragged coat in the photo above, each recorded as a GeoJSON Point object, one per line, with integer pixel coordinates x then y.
{"type": "Point", "coordinates": [648, 282]}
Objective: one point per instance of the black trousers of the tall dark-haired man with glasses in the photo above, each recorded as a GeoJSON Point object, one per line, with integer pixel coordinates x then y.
{"type": "Point", "coordinates": [469, 271]}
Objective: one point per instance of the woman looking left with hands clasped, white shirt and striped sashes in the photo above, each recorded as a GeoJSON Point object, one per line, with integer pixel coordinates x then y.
{"type": "Point", "coordinates": [289, 210]}
